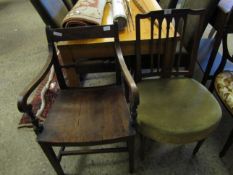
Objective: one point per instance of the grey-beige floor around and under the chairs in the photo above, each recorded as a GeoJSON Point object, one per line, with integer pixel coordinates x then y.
{"type": "Point", "coordinates": [22, 54]}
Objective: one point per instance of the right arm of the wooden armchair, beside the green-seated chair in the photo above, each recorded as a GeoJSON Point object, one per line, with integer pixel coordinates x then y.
{"type": "Point", "coordinates": [134, 94]}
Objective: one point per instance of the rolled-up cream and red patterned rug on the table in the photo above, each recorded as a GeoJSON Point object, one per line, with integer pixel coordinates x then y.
{"type": "Point", "coordinates": [85, 12]}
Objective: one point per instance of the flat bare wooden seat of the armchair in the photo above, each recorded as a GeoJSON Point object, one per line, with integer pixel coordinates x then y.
{"type": "Point", "coordinates": [83, 116]}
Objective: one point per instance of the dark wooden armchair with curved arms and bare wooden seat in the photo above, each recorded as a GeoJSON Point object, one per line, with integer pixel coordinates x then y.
{"type": "Point", "coordinates": [85, 116]}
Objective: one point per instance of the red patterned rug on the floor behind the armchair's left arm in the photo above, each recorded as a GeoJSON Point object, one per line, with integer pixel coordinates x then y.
{"type": "Point", "coordinates": [49, 96]}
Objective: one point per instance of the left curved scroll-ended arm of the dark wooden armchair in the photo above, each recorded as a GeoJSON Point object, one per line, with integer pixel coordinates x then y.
{"type": "Point", "coordinates": [22, 104]}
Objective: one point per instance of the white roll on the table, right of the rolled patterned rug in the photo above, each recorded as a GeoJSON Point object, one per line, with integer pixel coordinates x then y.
{"type": "Point", "coordinates": [118, 12]}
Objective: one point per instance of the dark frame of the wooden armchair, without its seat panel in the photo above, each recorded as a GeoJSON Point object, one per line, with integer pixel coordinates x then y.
{"type": "Point", "coordinates": [123, 79]}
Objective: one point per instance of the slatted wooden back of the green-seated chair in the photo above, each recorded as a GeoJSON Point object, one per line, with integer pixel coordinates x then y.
{"type": "Point", "coordinates": [171, 26]}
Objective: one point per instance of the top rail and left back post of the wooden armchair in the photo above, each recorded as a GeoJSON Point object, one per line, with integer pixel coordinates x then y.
{"type": "Point", "coordinates": [76, 33]}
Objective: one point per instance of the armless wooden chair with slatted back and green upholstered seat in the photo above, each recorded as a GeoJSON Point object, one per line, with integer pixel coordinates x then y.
{"type": "Point", "coordinates": [174, 108]}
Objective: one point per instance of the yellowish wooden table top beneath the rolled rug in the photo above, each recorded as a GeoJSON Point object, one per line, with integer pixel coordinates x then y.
{"type": "Point", "coordinates": [128, 33]}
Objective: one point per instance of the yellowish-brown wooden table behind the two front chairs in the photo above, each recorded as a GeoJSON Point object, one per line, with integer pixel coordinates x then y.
{"type": "Point", "coordinates": [93, 48]}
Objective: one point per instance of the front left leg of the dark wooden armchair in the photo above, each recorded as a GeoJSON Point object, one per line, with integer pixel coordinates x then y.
{"type": "Point", "coordinates": [48, 150]}
